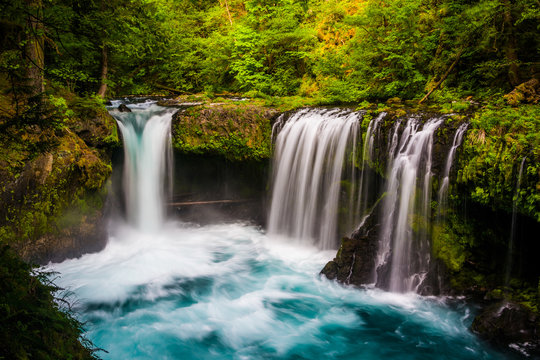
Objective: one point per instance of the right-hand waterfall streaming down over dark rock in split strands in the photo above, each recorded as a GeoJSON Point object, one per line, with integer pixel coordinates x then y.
{"type": "Point", "coordinates": [404, 251]}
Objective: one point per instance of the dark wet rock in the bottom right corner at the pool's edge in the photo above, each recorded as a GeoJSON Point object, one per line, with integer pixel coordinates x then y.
{"type": "Point", "coordinates": [508, 324]}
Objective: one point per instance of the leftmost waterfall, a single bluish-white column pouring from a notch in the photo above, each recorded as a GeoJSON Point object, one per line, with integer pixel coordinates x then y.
{"type": "Point", "coordinates": [146, 133]}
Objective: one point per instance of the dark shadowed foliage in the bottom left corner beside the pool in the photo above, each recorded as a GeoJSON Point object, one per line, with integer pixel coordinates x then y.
{"type": "Point", "coordinates": [34, 325]}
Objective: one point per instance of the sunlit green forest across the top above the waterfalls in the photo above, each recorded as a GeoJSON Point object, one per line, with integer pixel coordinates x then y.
{"type": "Point", "coordinates": [334, 51]}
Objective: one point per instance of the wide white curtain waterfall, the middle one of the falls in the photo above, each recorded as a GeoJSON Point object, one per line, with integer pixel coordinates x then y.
{"type": "Point", "coordinates": [314, 148]}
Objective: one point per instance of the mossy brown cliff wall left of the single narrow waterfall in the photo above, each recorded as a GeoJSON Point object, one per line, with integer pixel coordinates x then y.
{"type": "Point", "coordinates": [54, 184]}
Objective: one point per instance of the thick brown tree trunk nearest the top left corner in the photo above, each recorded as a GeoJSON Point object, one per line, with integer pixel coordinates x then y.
{"type": "Point", "coordinates": [34, 49]}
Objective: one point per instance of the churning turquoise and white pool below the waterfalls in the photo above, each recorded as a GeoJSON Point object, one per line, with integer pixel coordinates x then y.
{"type": "Point", "coordinates": [231, 292]}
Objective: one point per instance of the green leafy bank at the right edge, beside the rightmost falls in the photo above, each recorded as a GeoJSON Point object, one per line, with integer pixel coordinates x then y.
{"type": "Point", "coordinates": [499, 139]}
